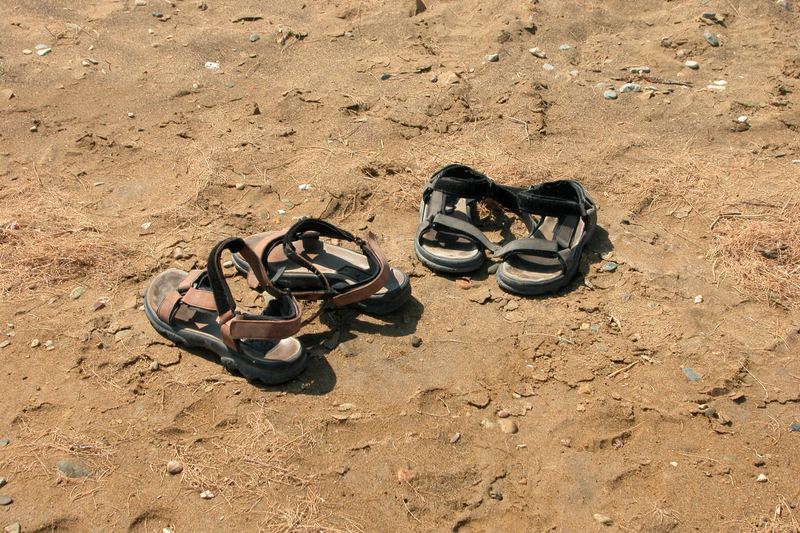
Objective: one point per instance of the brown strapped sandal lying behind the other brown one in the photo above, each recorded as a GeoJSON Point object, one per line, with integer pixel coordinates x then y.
{"type": "Point", "coordinates": [297, 260]}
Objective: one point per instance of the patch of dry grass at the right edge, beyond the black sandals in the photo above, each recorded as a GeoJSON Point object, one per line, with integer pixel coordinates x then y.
{"type": "Point", "coordinates": [760, 252]}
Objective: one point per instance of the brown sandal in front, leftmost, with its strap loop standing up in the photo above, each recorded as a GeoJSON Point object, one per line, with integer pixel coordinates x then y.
{"type": "Point", "coordinates": [196, 309]}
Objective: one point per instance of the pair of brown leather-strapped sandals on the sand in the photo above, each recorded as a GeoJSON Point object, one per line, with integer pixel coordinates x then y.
{"type": "Point", "coordinates": [197, 310]}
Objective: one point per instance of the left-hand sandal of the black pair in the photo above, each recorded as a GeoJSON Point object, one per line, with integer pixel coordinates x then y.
{"type": "Point", "coordinates": [447, 239]}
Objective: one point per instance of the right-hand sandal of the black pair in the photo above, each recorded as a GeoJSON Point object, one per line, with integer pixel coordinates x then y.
{"type": "Point", "coordinates": [549, 257]}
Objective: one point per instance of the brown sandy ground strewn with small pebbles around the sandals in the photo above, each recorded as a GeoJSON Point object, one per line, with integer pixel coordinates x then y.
{"type": "Point", "coordinates": [119, 146]}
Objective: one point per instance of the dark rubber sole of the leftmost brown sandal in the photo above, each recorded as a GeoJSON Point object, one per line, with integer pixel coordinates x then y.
{"type": "Point", "coordinates": [275, 375]}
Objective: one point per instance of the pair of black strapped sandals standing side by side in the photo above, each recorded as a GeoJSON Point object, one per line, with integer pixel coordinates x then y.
{"type": "Point", "coordinates": [559, 216]}
